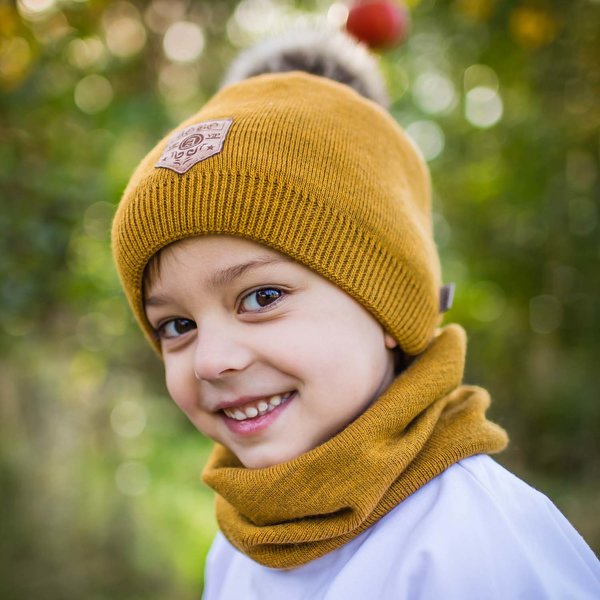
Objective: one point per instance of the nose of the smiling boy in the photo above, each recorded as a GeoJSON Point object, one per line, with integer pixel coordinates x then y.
{"type": "Point", "coordinates": [219, 352]}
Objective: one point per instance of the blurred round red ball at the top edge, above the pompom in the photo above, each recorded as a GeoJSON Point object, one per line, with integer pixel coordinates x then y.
{"type": "Point", "coordinates": [378, 23]}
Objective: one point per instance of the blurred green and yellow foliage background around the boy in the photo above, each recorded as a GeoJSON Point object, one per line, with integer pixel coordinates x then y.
{"type": "Point", "coordinates": [100, 490]}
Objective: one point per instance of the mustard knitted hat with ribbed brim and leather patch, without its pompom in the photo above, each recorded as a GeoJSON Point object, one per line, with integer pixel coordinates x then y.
{"type": "Point", "coordinates": [308, 167]}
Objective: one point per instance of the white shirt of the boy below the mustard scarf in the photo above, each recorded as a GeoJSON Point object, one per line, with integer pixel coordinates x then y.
{"type": "Point", "coordinates": [475, 532]}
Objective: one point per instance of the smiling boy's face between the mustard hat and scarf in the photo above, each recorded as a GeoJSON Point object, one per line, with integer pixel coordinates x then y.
{"type": "Point", "coordinates": [262, 354]}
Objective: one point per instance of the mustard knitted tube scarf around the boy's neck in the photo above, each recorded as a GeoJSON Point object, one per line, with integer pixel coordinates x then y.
{"type": "Point", "coordinates": [288, 514]}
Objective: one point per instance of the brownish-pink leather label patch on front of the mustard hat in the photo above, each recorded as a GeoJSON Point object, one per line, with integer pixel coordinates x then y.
{"type": "Point", "coordinates": [193, 144]}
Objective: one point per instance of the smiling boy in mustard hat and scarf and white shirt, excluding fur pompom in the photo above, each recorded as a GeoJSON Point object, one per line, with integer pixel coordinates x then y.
{"type": "Point", "coordinates": [277, 251]}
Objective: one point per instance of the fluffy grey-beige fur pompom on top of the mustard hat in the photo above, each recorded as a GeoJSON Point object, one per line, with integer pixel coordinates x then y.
{"type": "Point", "coordinates": [326, 52]}
